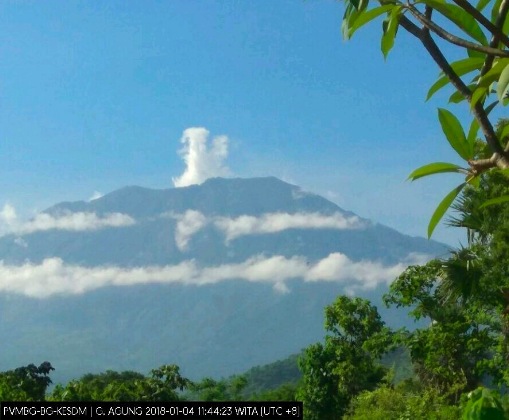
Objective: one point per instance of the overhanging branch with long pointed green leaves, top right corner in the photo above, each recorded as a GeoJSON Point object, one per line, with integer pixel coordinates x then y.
{"type": "Point", "coordinates": [478, 34]}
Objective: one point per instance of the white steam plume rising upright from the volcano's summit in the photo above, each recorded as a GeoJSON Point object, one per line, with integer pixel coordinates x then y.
{"type": "Point", "coordinates": [202, 162]}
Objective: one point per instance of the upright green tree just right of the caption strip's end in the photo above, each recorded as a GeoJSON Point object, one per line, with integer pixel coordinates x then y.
{"type": "Point", "coordinates": [347, 363]}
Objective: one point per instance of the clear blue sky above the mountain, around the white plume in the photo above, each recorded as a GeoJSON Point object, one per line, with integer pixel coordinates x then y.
{"type": "Point", "coordinates": [95, 95]}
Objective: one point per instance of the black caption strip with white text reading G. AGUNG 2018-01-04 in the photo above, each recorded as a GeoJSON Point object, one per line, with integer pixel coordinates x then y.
{"type": "Point", "coordinates": [170, 410]}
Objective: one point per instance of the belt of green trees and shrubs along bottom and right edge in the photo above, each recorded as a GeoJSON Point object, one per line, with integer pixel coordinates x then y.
{"type": "Point", "coordinates": [460, 361]}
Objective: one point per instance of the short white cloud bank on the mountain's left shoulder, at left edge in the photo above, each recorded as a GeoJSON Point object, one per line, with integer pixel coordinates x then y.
{"type": "Point", "coordinates": [79, 221]}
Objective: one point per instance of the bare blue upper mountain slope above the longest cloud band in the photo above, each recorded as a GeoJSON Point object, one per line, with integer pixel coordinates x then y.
{"type": "Point", "coordinates": [151, 239]}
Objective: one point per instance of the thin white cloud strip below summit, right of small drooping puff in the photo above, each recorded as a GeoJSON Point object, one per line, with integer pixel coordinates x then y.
{"type": "Point", "coordinates": [277, 222]}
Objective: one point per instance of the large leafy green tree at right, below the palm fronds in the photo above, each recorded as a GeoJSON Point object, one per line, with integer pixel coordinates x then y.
{"type": "Point", "coordinates": [451, 354]}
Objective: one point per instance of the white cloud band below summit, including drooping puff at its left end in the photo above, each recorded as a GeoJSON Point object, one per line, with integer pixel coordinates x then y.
{"type": "Point", "coordinates": [193, 221]}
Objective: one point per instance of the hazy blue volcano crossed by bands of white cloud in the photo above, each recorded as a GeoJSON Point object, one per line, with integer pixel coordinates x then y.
{"type": "Point", "coordinates": [216, 277]}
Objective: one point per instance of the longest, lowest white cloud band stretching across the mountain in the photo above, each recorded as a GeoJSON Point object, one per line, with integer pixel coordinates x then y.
{"type": "Point", "coordinates": [54, 277]}
